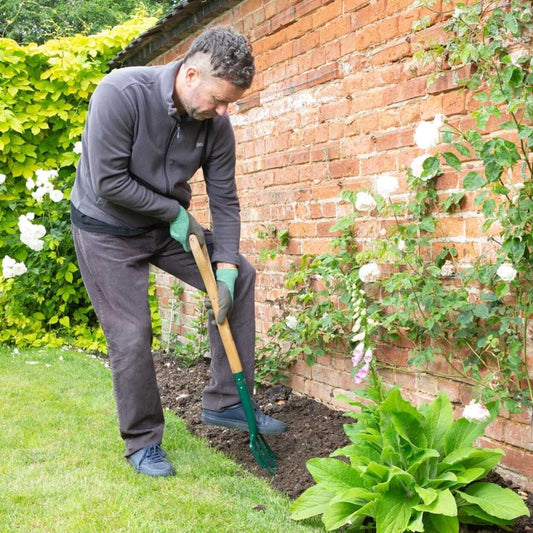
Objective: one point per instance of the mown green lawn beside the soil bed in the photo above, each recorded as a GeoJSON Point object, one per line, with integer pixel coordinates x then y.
{"type": "Point", "coordinates": [62, 470]}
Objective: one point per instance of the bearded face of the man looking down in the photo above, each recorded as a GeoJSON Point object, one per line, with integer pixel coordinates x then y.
{"type": "Point", "coordinates": [205, 96]}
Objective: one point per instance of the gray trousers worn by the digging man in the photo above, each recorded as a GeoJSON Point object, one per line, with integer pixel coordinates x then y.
{"type": "Point", "coordinates": [115, 271]}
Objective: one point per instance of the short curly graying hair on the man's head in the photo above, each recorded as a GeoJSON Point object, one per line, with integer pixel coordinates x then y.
{"type": "Point", "coordinates": [230, 55]}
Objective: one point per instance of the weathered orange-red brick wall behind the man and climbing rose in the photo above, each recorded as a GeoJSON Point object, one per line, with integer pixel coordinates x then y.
{"type": "Point", "coordinates": [334, 105]}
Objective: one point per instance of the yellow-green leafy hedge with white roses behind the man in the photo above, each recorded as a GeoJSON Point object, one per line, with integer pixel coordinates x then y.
{"type": "Point", "coordinates": [44, 94]}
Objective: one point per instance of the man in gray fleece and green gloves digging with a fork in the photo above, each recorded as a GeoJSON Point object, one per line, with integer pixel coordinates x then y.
{"type": "Point", "coordinates": [147, 131]}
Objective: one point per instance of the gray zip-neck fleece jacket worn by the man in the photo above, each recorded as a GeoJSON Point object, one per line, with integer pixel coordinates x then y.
{"type": "Point", "coordinates": [138, 155]}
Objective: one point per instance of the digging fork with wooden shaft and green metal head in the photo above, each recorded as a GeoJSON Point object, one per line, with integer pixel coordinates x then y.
{"type": "Point", "coordinates": [259, 447]}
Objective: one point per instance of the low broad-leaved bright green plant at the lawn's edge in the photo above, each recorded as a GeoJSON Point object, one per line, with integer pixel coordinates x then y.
{"type": "Point", "coordinates": [408, 469]}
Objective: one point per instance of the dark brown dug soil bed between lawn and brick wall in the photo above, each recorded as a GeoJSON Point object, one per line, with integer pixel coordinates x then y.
{"type": "Point", "coordinates": [314, 430]}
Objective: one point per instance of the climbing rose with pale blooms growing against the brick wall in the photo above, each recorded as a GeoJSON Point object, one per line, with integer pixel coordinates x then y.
{"type": "Point", "coordinates": [475, 315]}
